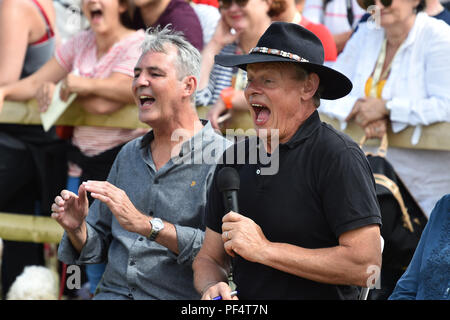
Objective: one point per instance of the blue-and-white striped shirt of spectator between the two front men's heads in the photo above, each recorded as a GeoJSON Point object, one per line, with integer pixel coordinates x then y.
{"type": "Point", "coordinates": [219, 79]}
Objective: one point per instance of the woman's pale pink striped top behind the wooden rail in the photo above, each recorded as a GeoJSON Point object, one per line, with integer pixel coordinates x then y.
{"type": "Point", "coordinates": [79, 55]}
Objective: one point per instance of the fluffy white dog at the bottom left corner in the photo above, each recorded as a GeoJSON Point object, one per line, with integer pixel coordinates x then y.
{"type": "Point", "coordinates": [34, 283]}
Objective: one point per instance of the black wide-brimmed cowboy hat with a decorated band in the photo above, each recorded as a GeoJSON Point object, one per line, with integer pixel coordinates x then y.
{"type": "Point", "coordinates": [290, 42]}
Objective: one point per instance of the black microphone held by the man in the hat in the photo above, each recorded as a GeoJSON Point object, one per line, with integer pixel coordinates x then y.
{"type": "Point", "coordinates": [228, 184]}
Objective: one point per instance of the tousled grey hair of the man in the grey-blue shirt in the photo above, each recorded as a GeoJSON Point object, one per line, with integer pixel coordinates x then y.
{"type": "Point", "coordinates": [188, 58]}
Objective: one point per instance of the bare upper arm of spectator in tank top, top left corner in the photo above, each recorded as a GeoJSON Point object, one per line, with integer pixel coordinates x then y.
{"type": "Point", "coordinates": [14, 34]}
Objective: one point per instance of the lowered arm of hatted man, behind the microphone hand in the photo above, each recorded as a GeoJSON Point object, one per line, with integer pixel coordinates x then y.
{"type": "Point", "coordinates": [211, 268]}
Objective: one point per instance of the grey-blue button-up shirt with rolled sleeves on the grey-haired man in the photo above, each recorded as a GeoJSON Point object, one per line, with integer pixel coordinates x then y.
{"type": "Point", "coordinates": [138, 268]}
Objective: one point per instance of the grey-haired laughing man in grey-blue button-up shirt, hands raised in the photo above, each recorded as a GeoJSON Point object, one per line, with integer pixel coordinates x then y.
{"type": "Point", "coordinates": [147, 221]}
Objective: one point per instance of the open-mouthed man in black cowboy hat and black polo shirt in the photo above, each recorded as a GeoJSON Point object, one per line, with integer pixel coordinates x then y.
{"type": "Point", "coordinates": [312, 229]}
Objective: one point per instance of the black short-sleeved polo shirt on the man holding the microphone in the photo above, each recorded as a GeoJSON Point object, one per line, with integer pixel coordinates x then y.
{"type": "Point", "coordinates": [323, 188]}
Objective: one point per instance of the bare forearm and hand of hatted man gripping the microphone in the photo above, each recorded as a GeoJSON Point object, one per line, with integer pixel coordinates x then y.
{"type": "Point", "coordinates": [348, 263]}
